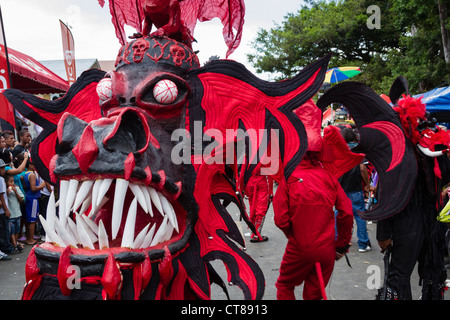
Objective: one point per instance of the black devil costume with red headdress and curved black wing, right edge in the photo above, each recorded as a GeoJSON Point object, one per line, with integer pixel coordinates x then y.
{"type": "Point", "coordinates": [409, 153]}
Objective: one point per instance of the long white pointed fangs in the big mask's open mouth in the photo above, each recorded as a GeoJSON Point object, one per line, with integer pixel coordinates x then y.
{"type": "Point", "coordinates": [63, 231]}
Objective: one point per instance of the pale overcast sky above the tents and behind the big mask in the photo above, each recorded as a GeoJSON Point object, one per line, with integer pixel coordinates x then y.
{"type": "Point", "coordinates": [32, 27]}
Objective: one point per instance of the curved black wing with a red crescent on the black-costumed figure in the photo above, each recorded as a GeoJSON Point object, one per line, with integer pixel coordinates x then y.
{"type": "Point", "coordinates": [383, 141]}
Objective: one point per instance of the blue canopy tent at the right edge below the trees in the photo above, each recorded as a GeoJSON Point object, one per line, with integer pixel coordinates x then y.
{"type": "Point", "coordinates": [438, 103]}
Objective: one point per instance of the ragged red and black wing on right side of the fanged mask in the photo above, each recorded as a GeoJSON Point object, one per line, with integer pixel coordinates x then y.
{"type": "Point", "coordinates": [227, 96]}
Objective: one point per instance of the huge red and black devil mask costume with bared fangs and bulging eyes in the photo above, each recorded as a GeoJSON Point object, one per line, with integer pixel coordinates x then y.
{"type": "Point", "coordinates": [132, 223]}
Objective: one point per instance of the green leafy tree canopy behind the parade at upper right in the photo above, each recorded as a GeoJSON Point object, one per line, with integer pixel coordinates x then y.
{"type": "Point", "coordinates": [408, 43]}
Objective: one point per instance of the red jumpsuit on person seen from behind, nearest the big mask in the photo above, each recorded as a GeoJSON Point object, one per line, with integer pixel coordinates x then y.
{"type": "Point", "coordinates": [303, 208]}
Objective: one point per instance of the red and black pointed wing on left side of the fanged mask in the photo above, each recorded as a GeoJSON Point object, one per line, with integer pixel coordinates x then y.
{"type": "Point", "coordinates": [81, 100]}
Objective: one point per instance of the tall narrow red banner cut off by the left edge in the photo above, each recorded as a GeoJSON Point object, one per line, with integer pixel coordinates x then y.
{"type": "Point", "coordinates": [6, 109]}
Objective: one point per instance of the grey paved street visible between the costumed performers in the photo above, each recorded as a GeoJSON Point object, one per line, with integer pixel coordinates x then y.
{"type": "Point", "coordinates": [346, 283]}
